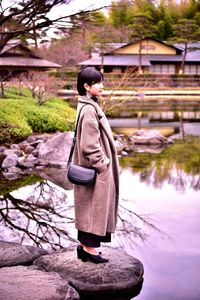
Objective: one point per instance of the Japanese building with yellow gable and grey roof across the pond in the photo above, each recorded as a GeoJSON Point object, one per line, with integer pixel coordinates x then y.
{"type": "Point", "coordinates": [156, 57]}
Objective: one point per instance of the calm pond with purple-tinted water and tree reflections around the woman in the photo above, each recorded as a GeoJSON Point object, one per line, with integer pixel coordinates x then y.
{"type": "Point", "coordinates": [158, 217]}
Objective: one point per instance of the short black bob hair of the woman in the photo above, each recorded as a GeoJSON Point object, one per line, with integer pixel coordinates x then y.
{"type": "Point", "coordinates": [88, 75]}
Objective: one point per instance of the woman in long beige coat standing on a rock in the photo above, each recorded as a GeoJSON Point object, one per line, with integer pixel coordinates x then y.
{"type": "Point", "coordinates": [96, 206]}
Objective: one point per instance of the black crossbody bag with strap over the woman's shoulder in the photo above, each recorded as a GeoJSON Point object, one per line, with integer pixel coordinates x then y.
{"type": "Point", "coordinates": [78, 174]}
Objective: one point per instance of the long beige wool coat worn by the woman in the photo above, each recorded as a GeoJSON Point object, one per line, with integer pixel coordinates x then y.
{"type": "Point", "coordinates": [96, 207]}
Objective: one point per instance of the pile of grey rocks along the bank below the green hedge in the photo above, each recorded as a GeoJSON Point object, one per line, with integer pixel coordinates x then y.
{"type": "Point", "coordinates": [44, 150]}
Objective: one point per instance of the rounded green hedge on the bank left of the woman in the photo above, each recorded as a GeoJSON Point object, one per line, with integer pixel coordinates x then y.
{"type": "Point", "coordinates": [21, 116]}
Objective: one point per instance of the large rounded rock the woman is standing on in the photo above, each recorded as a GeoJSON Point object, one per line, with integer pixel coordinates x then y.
{"type": "Point", "coordinates": [121, 274]}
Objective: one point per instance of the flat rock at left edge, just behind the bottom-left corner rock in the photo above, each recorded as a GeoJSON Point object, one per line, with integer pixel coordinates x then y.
{"type": "Point", "coordinates": [12, 254]}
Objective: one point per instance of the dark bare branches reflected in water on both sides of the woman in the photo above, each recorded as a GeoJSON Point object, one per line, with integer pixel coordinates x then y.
{"type": "Point", "coordinates": [45, 218]}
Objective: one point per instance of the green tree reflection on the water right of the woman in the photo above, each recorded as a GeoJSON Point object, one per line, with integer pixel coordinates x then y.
{"type": "Point", "coordinates": [178, 165]}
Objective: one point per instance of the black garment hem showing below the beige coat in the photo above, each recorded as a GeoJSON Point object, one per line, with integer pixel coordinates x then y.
{"type": "Point", "coordinates": [93, 240]}
